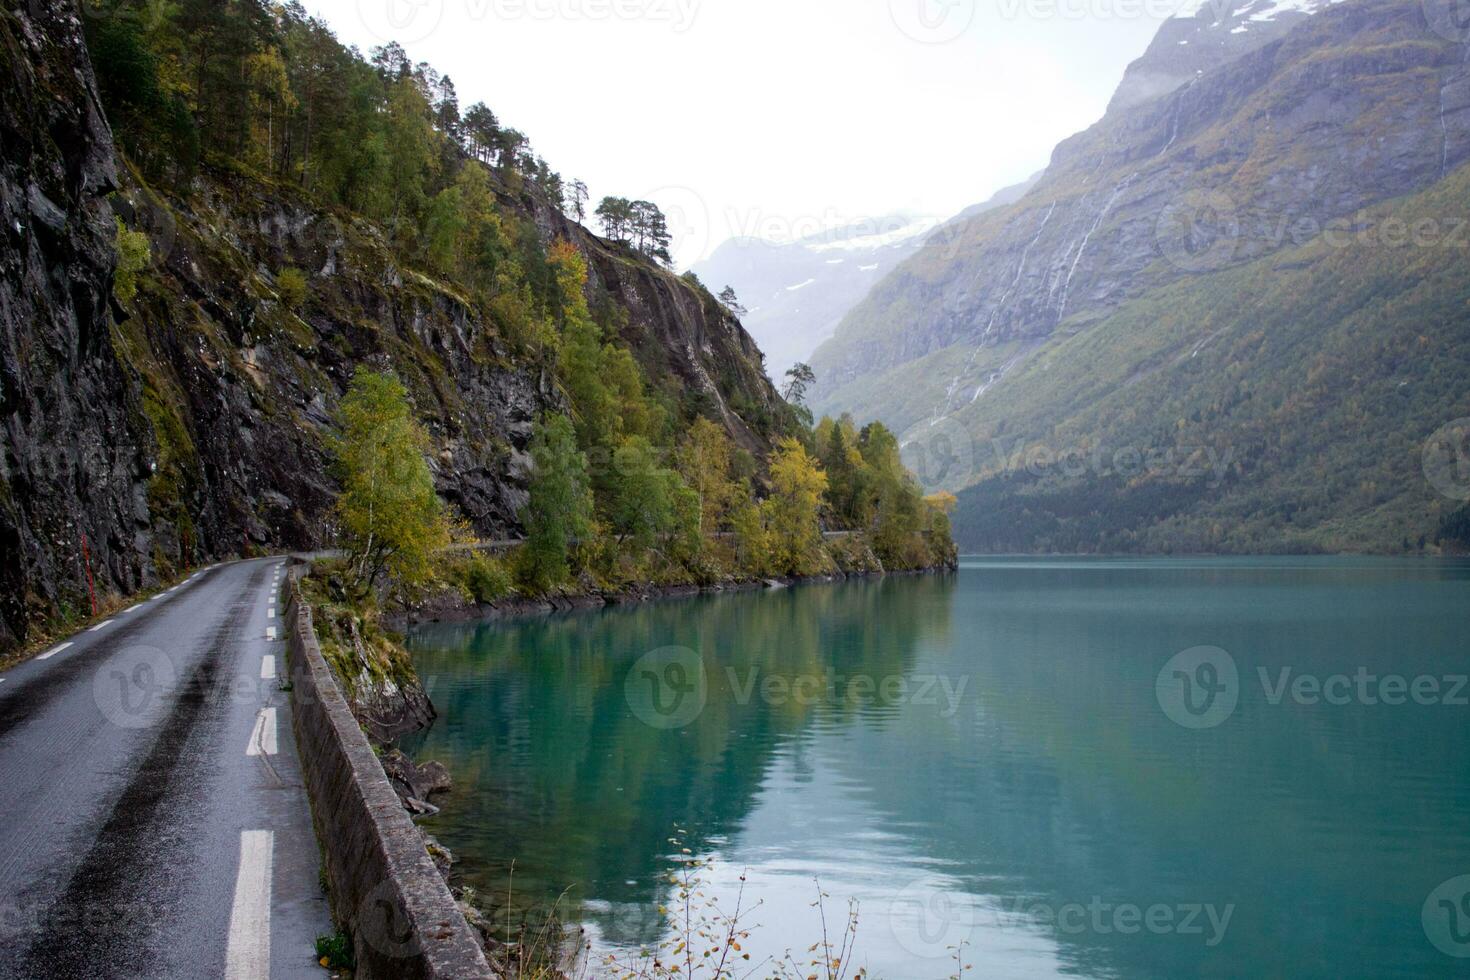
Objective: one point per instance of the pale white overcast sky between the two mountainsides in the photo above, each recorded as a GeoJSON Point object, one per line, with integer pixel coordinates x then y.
{"type": "Point", "coordinates": [777, 118]}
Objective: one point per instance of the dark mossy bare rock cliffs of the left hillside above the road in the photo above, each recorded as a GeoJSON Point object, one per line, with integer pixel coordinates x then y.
{"type": "Point", "coordinates": [190, 424]}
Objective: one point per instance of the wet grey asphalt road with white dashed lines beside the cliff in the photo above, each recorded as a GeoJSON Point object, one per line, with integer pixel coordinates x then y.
{"type": "Point", "coordinates": [152, 813]}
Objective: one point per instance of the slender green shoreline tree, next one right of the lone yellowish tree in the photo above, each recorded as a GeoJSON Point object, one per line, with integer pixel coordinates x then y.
{"type": "Point", "coordinates": [561, 509]}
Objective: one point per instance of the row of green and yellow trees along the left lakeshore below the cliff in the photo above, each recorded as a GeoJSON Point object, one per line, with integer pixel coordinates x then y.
{"type": "Point", "coordinates": [693, 514]}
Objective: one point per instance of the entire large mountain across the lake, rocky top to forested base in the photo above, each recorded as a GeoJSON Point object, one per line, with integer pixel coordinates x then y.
{"type": "Point", "coordinates": [1258, 253]}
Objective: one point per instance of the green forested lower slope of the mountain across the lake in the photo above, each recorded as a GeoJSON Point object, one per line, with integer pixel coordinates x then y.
{"type": "Point", "coordinates": [1280, 406]}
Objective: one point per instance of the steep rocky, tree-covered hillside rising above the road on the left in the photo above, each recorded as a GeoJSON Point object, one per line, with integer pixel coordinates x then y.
{"type": "Point", "coordinates": [270, 212]}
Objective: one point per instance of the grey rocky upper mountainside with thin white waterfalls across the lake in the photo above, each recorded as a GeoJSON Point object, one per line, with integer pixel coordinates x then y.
{"type": "Point", "coordinates": [1234, 137]}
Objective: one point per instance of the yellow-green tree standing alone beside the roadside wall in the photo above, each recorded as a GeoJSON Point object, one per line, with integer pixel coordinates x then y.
{"type": "Point", "coordinates": [392, 518]}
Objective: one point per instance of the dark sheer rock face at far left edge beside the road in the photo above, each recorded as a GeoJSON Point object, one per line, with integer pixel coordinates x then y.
{"type": "Point", "coordinates": [70, 465]}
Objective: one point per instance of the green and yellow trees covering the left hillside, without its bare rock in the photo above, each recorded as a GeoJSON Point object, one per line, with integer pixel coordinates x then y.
{"type": "Point", "coordinates": [637, 477]}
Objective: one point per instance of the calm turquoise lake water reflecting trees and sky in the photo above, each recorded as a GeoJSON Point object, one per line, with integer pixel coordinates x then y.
{"type": "Point", "coordinates": [1059, 768]}
